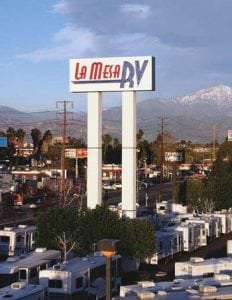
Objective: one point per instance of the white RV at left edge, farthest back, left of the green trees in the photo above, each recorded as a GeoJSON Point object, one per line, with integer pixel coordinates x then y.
{"type": "Point", "coordinates": [17, 240]}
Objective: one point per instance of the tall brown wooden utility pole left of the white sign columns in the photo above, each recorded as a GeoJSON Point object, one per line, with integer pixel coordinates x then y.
{"type": "Point", "coordinates": [64, 138]}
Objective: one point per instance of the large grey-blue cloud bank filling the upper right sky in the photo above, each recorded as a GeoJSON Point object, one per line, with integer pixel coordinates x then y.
{"type": "Point", "coordinates": [190, 39]}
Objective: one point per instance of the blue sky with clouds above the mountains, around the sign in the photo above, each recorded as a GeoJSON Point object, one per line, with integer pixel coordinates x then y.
{"type": "Point", "coordinates": [190, 40]}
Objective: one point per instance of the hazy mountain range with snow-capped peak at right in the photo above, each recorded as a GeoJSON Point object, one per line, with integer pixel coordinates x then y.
{"type": "Point", "coordinates": [191, 117]}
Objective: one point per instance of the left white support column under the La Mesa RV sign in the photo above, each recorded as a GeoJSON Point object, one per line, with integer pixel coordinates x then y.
{"type": "Point", "coordinates": [94, 141]}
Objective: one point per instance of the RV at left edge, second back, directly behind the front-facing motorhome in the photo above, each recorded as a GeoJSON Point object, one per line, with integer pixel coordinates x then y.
{"type": "Point", "coordinates": [26, 267]}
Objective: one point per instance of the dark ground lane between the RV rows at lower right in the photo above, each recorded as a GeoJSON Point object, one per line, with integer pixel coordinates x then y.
{"type": "Point", "coordinates": [217, 248]}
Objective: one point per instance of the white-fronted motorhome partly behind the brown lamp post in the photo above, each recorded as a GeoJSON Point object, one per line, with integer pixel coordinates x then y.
{"type": "Point", "coordinates": [80, 275]}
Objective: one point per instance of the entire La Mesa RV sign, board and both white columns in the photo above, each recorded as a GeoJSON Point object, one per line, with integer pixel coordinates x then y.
{"type": "Point", "coordinates": [112, 74]}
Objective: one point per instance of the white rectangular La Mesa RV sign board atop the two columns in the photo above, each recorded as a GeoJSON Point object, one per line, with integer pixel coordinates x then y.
{"type": "Point", "coordinates": [112, 74]}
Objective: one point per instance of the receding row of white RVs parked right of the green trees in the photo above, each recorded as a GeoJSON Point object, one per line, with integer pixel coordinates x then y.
{"type": "Point", "coordinates": [187, 232]}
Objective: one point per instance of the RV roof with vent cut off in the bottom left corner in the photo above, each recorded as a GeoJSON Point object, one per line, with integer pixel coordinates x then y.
{"type": "Point", "coordinates": [23, 291]}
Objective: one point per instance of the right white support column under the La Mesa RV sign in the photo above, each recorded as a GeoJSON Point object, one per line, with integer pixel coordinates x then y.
{"type": "Point", "coordinates": [129, 154]}
